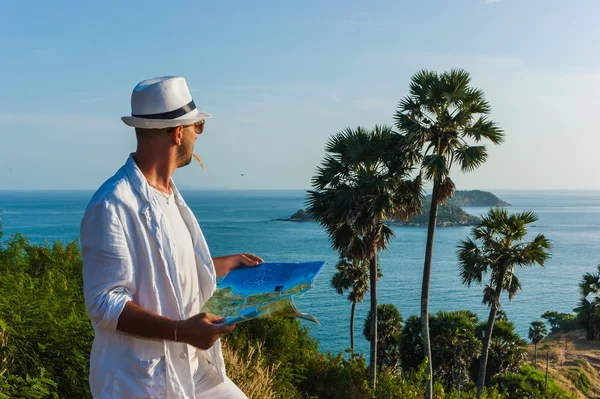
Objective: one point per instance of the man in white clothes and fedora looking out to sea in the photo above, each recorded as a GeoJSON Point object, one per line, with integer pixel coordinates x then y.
{"type": "Point", "coordinates": [147, 269]}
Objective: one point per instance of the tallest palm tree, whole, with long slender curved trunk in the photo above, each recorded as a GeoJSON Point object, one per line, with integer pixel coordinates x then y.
{"type": "Point", "coordinates": [441, 114]}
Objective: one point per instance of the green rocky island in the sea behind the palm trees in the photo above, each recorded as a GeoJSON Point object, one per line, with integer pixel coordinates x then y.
{"type": "Point", "coordinates": [449, 214]}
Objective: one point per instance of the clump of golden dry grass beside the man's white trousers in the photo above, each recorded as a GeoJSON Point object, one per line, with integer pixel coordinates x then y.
{"type": "Point", "coordinates": [250, 372]}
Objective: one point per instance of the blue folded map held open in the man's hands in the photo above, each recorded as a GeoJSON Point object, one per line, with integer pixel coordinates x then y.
{"type": "Point", "coordinates": [266, 290]}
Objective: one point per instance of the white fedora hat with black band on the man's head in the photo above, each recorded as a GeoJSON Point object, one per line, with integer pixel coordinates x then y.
{"type": "Point", "coordinates": [162, 103]}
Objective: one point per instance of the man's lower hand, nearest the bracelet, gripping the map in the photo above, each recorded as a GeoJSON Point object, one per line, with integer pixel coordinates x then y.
{"type": "Point", "coordinates": [202, 330]}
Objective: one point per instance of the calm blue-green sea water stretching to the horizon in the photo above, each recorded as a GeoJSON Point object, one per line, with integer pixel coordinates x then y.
{"type": "Point", "coordinates": [235, 221]}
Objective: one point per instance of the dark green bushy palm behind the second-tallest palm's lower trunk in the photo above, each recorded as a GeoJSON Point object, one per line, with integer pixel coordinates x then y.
{"type": "Point", "coordinates": [389, 328]}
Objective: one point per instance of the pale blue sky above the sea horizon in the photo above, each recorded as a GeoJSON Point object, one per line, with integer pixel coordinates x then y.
{"type": "Point", "coordinates": [281, 77]}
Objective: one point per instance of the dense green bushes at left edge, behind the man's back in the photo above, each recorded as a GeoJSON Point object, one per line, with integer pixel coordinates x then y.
{"type": "Point", "coordinates": [46, 334]}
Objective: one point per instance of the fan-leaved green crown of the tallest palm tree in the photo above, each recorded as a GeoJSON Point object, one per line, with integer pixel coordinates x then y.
{"type": "Point", "coordinates": [442, 113]}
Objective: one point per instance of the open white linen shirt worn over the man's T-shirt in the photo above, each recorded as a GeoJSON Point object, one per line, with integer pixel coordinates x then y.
{"type": "Point", "coordinates": [129, 255]}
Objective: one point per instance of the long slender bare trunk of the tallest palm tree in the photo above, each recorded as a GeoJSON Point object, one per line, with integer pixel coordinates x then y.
{"type": "Point", "coordinates": [425, 287]}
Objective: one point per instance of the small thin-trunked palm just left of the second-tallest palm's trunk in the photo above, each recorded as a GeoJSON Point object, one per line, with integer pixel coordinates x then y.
{"type": "Point", "coordinates": [353, 277]}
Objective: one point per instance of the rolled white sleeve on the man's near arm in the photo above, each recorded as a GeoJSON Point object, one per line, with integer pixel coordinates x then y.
{"type": "Point", "coordinates": [108, 275]}
